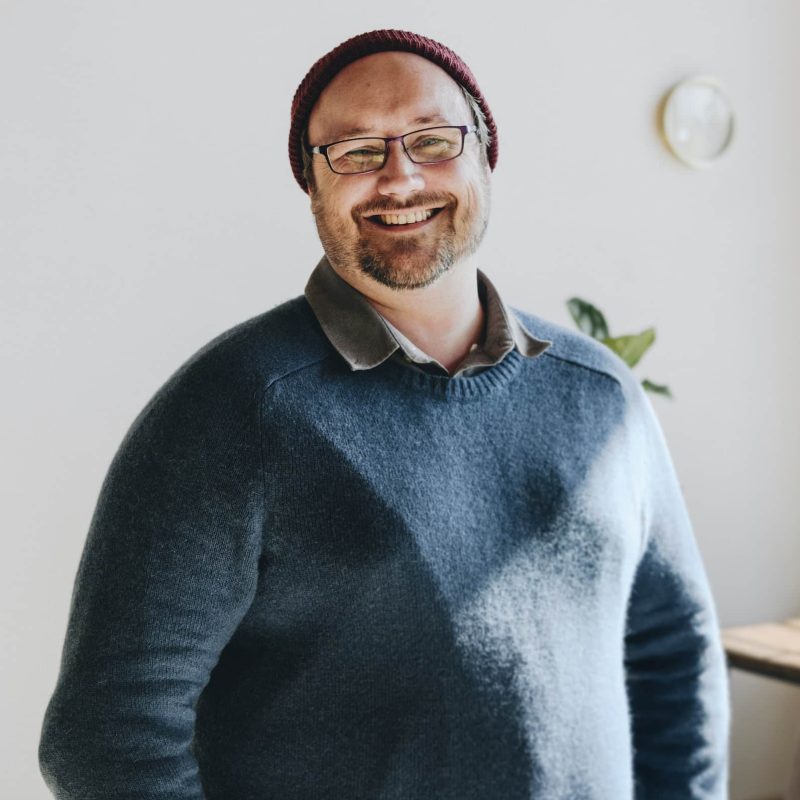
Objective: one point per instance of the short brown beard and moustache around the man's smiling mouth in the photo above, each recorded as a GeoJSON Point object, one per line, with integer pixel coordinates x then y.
{"type": "Point", "coordinates": [410, 260]}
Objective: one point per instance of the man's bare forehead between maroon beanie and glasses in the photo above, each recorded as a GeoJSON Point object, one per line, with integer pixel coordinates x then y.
{"type": "Point", "coordinates": [384, 93]}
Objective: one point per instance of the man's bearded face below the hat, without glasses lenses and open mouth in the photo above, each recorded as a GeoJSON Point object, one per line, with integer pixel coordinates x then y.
{"type": "Point", "coordinates": [387, 94]}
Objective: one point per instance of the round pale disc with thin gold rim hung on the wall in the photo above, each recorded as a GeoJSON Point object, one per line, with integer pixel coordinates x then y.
{"type": "Point", "coordinates": [697, 120]}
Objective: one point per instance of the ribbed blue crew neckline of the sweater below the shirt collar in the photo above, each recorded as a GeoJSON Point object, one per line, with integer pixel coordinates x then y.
{"type": "Point", "coordinates": [461, 388]}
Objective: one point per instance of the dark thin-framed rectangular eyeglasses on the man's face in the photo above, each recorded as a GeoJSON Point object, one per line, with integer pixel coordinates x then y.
{"type": "Point", "coordinates": [426, 146]}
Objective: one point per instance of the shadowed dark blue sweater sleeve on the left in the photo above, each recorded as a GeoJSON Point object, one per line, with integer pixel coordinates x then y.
{"type": "Point", "coordinates": [168, 569]}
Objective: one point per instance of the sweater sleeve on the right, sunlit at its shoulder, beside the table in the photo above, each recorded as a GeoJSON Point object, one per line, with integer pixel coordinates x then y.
{"type": "Point", "coordinates": [675, 665]}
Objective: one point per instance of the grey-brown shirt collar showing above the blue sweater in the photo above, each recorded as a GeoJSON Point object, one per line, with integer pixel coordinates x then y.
{"type": "Point", "coordinates": [365, 338]}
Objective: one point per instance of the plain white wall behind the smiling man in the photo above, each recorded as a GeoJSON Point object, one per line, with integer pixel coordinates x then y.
{"type": "Point", "coordinates": [147, 204]}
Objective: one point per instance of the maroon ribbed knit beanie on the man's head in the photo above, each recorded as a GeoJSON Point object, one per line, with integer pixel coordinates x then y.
{"type": "Point", "coordinates": [323, 72]}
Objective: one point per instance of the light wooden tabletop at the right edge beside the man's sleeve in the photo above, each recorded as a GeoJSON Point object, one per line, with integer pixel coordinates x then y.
{"type": "Point", "coordinates": [771, 649]}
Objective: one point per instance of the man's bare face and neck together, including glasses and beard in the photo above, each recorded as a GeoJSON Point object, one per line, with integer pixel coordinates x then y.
{"type": "Point", "coordinates": [401, 222]}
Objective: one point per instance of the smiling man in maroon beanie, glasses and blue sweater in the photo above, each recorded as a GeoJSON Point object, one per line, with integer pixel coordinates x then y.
{"type": "Point", "coordinates": [392, 539]}
